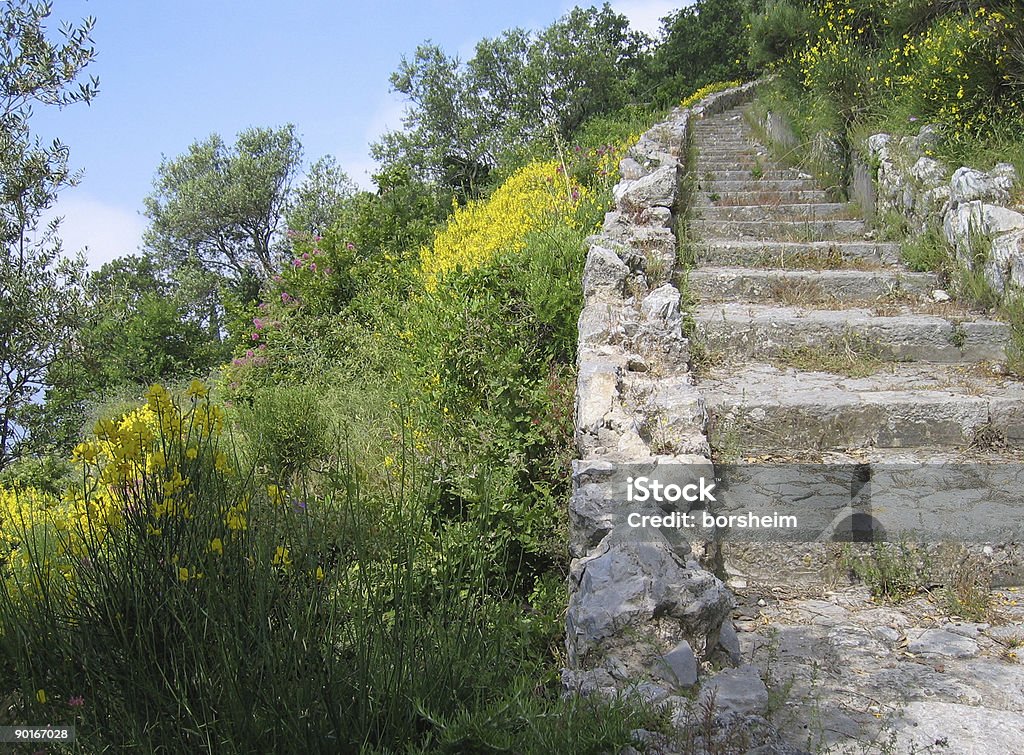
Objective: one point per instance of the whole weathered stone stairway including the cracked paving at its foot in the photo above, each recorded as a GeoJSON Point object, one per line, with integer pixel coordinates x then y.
{"type": "Point", "coordinates": [820, 347]}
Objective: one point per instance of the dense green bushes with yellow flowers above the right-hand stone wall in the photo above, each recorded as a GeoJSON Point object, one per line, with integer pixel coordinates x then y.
{"type": "Point", "coordinates": [858, 66]}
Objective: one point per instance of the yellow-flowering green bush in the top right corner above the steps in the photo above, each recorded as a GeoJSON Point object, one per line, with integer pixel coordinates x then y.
{"type": "Point", "coordinates": [956, 67]}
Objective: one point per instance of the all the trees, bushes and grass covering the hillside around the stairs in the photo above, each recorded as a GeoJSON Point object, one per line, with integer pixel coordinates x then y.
{"type": "Point", "coordinates": [298, 479]}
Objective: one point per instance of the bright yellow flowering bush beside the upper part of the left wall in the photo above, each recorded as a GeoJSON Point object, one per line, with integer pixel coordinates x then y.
{"type": "Point", "coordinates": [533, 198]}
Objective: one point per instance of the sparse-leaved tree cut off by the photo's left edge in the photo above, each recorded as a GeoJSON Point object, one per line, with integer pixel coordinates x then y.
{"type": "Point", "coordinates": [39, 289]}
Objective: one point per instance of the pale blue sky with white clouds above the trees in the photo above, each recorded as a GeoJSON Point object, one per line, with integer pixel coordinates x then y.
{"type": "Point", "coordinates": [173, 73]}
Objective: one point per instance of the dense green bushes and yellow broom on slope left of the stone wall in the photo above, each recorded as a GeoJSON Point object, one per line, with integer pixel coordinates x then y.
{"type": "Point", "coordinates": [361, 544]}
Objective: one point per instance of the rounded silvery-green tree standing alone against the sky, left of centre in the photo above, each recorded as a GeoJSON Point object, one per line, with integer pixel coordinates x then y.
{"type": "Point", "coordinates": [224, 206]}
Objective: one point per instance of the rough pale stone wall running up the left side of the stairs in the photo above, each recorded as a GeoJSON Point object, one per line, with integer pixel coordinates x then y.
{"type": "Point", "coordinates": [643, 613]}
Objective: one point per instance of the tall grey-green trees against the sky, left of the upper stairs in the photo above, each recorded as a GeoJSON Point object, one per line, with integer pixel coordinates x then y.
{"type": "Point", "coordinates": [518, 90]}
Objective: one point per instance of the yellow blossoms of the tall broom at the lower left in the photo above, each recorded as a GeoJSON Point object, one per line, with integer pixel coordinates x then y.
{"type": "Point", "coordinates": [143, 470]}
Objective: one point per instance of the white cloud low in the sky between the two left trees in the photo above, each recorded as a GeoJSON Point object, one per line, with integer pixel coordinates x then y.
{"type": "Point", "coordinates": [103, 231]}
